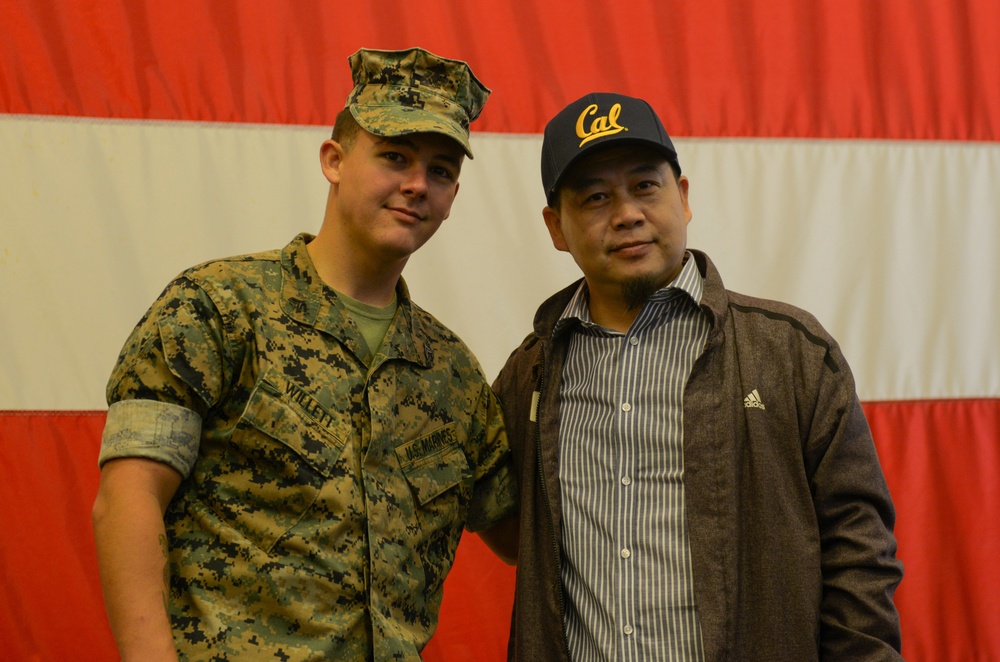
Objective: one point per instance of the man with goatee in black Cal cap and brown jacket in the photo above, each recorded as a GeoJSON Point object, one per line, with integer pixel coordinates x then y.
{"type": "Point", "coordinates": [697, 478]}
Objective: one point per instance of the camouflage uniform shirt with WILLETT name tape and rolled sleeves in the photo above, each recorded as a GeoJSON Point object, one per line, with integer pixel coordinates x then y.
{"type": "Point", "coordinates": [324, 497]}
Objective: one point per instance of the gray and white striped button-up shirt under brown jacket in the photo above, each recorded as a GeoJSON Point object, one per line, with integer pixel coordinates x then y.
{"type": "Point", "coordinates": [627, 562]}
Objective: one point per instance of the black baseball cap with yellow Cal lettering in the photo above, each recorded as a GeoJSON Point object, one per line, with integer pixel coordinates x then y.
{"type": "Point", "coordinates": [598, 120]}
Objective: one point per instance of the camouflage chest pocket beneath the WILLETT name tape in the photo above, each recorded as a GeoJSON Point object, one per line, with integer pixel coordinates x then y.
{"type": "Point", "coordinates": [280, 454]}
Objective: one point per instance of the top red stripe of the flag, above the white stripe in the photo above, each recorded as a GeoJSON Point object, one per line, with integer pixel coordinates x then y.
{"type": "Point", "coordinates": [847, 69]}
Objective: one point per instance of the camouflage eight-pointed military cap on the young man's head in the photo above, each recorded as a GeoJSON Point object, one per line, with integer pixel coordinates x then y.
{"type": "Point", "coordinates": [414, 91]}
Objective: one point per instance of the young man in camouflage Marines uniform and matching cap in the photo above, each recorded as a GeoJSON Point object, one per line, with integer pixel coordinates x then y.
{"type": "Point", "coordinates": [293, 448]}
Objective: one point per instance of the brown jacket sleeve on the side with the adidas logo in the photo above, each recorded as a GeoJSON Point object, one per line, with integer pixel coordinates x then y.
{"type": "Point", "coordinates": [858, 619]}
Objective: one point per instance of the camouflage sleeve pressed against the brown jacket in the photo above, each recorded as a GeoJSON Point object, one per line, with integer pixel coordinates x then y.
{"type": "Point", "coordinates": [495, 493]}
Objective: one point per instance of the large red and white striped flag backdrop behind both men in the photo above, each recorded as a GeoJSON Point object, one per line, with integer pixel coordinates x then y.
{"type": "Point", "coordinates": [844, 156]}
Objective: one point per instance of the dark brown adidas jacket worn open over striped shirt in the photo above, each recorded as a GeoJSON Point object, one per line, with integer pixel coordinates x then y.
{"type": "Point", "coordinates": [789, 514]}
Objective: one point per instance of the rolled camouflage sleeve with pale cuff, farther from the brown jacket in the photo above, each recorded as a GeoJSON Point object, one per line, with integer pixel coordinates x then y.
{"type": "Point", "coordinates": [168, 374]}
